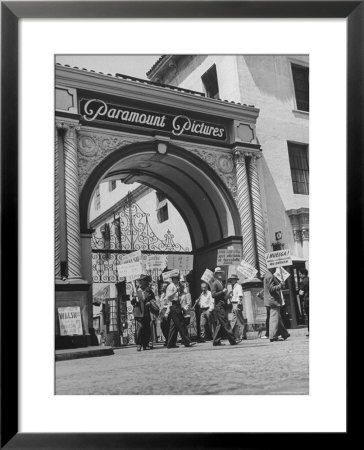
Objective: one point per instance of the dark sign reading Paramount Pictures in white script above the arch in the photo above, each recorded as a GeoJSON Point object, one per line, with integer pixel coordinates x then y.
{"type": "Point", "coordinates": [98, 110]}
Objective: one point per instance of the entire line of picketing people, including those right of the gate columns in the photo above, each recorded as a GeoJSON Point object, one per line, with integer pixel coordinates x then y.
{"type": "Point", "coordinates": [171, 309]}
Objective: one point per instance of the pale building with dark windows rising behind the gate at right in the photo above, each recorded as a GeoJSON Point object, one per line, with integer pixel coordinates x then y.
{"type": "Point", "coordinates": [279, 86]}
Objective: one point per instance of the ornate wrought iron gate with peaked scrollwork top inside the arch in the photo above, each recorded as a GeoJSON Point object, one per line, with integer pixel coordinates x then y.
{"type": "Point", "coordinates": [127, 231]}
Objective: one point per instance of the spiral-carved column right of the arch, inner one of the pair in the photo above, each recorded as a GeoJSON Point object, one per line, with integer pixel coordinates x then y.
{"type": "Point", "coordinates": [245, 209]}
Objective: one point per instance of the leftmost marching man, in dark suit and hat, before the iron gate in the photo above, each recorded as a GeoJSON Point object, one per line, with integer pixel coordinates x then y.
{"type": "Point", "coordinates": [141, 303]}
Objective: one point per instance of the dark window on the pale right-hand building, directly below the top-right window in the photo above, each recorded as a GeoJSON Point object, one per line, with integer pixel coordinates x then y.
{"type": "Point", "coordinates": [298, 160]}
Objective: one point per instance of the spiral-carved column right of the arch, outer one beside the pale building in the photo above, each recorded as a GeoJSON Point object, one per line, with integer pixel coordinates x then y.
{"type": "Point", "coordinates": [257, 214]}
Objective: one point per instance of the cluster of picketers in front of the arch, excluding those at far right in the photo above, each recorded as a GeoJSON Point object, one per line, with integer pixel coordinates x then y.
{"type": "Point", "coordinates": [173, 307]}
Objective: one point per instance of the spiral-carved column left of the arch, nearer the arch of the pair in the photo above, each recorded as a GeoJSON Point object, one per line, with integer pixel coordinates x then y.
{"type": "Point", "coordinates": [72, 198]}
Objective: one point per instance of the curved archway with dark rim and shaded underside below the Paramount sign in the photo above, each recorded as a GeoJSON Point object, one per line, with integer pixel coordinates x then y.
{"type": "Point", "coordinates": [196, 191]}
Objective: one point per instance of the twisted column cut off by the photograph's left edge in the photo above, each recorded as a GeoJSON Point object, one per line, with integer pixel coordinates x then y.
{"type": "Point", "coordinates": [57, 227]}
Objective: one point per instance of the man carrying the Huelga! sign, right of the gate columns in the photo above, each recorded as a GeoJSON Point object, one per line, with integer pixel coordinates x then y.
{"type": "Point", "coordinates": [273, 299]}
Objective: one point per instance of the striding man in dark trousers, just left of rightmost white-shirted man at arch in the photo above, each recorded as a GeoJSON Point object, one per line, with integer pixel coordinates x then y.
{"type": "Point", "coordinates": [220, 295]}
